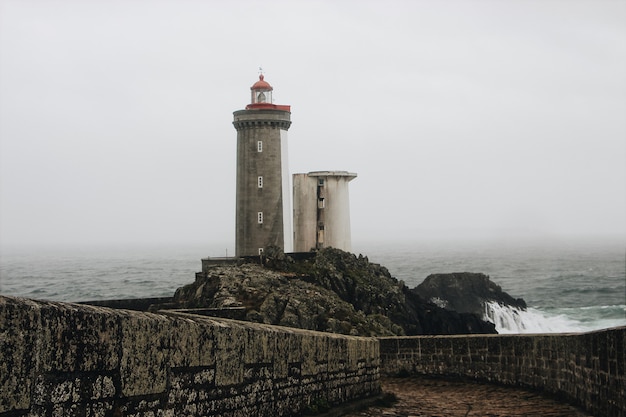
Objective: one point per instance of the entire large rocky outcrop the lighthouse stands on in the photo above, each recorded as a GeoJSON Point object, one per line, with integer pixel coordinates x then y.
{"type": "Point", "coordinates": [333, 291]}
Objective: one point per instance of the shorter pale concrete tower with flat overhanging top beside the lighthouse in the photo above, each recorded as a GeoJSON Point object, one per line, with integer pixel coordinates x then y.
{"type": "Point", "coordinates": [322, 210]}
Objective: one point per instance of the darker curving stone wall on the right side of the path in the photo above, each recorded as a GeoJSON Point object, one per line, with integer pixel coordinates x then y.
{"type": "Point", "coordinates": [585, 369]}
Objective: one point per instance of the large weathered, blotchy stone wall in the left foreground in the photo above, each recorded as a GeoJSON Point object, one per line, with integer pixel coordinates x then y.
{"type": "Point", "coordinates": [60, 359]}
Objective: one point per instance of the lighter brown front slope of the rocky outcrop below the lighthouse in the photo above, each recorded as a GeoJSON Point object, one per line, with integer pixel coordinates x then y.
{"type": "Point", "coordinates": [278, 298]}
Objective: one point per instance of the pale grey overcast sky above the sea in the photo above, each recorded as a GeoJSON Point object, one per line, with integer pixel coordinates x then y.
{"type": "Point", "coordinates": [472, 119]}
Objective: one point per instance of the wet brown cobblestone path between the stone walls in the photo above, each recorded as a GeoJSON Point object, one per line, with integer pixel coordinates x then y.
{"type": "Point", "coordinates": [422, 396]}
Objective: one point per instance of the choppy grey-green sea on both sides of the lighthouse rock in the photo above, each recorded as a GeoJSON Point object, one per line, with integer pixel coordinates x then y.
{"type": "Point", "coordinates": [569, 286]}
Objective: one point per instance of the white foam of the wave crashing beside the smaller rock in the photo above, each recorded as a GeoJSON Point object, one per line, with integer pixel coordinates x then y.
{"type": "Point", "coordinates": [514, 320]}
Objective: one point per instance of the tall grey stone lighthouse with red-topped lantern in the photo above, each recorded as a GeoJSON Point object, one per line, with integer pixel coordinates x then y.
{"type": "Point", "coordinates": [263, 209]}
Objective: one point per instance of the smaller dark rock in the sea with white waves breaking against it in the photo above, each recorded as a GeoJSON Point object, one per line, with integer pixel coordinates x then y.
{"type": "Point", "coordinates": [465, 292]}
